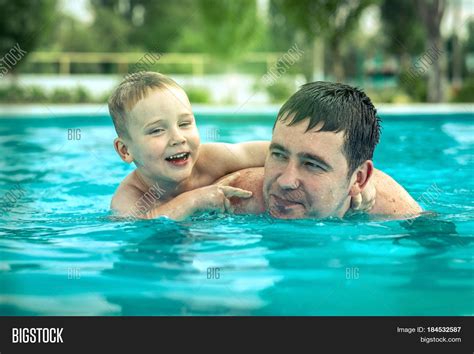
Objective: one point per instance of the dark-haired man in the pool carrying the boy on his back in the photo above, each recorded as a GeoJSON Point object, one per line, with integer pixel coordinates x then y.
{"type": "Point", "coordinates": [320, 156]}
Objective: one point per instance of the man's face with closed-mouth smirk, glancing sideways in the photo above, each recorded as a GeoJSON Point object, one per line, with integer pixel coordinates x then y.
{"type": "Point", "coordinates": [306, 173]}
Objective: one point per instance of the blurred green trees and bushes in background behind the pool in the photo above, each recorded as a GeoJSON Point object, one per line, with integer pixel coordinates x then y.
{"type": "Point", "coordinates": [331, 33]}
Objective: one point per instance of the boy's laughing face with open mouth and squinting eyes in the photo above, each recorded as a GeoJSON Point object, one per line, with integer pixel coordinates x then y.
{"type": "Point", "coordinates": [164, 140]}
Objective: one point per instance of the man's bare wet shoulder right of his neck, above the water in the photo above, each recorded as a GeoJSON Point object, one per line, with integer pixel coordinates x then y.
{"type": "Point", "coordinates": [392, 199]}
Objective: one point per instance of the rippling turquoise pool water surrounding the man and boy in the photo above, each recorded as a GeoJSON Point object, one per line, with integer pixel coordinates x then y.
{"type": "Point", "coordinates": [61, 255]}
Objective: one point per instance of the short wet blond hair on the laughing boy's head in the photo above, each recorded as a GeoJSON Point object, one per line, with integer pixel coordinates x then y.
{"type": "Point", "coordinates": [132, 89]}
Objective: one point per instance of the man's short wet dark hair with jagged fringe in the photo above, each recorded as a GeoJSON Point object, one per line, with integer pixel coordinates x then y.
{"type": "Point", "coordinates": [338, 107]}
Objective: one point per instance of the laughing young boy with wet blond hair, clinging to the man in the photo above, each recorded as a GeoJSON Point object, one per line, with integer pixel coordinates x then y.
{"type": "Point", "coordinates": [175, 174]}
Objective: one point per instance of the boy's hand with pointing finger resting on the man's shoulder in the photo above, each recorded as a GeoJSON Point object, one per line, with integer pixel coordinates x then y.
{"type": "Point", "coordinates": [216, 197]}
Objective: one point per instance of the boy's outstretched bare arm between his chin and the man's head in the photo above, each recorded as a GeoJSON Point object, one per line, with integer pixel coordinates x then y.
{"type": "Point", "coordinates": [234, 157]}
